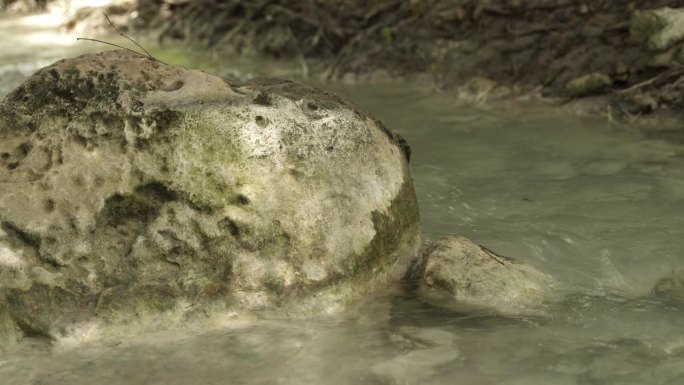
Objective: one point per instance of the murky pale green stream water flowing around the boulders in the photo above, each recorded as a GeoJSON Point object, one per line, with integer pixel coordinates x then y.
{"type": "Point", "coordinates": [596, 206]}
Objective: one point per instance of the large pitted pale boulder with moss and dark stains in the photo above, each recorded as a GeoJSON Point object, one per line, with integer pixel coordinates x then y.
{"type": "Point", "coordinates": [136, 194]}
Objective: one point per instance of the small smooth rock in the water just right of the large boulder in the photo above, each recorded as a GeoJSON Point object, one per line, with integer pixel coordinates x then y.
{"type": "Point", "coordinates": [460, 273]}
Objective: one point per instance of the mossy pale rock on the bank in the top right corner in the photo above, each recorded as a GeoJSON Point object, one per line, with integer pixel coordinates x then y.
{"type": "Point", "coordinates": [658, 29]}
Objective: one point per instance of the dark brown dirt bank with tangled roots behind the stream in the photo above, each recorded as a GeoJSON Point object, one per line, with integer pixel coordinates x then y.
{"type": "Point", "coordinates": [485, 49]}
